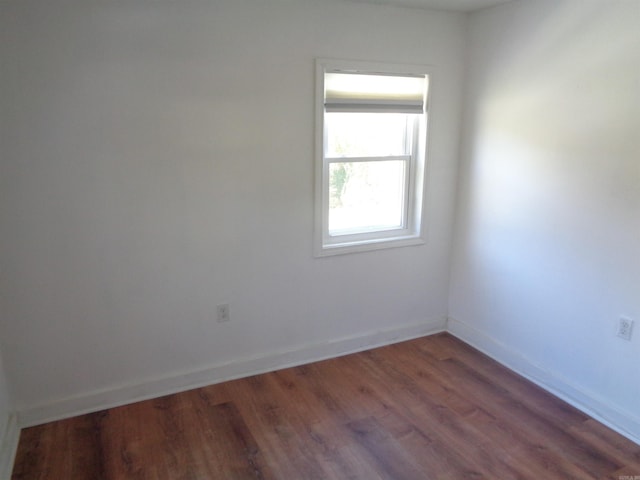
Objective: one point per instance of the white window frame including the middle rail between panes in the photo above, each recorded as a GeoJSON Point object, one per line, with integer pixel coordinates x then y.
{"type": "Point", "coordinates": [412, 232]}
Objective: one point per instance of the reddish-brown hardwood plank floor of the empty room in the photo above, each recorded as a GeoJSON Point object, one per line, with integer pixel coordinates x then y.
{"type": "Point", "coordinates": [427, 408]}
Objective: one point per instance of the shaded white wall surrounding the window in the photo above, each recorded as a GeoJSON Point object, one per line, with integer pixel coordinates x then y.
{"type": "Point", "coordinates": [158, 161]}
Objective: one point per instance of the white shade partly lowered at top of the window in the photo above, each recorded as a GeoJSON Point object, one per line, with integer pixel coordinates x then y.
{"type": "Point", "coordinates": [358, 92]}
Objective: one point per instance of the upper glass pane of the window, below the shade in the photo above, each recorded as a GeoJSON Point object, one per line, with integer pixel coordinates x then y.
{"type": "Point", "coordinates": [367, 134]}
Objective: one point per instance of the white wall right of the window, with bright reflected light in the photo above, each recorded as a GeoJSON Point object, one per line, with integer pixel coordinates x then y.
{"type": "Point", "coordinates": [547, 243]}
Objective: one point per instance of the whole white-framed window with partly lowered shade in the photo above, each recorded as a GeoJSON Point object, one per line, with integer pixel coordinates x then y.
{"type": "Point", "coordinates": [371, 143]}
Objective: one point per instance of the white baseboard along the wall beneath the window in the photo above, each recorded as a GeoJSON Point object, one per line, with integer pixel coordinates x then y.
{"type": "Point", "coordinates": [181, 381]}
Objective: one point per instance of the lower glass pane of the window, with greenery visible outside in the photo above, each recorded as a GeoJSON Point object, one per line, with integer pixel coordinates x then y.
{"type": "Point", "coordinates": [366, 196]}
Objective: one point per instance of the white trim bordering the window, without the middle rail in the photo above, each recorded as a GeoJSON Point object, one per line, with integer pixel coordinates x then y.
{"type": "Point", "coordinates": [415, 231]}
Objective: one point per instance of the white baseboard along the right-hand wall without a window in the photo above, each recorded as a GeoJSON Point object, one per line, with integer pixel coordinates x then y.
{"type": "Point", "coordinates": [589, 403]}
